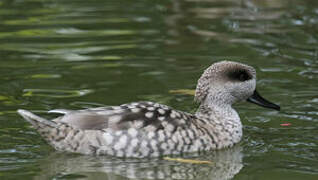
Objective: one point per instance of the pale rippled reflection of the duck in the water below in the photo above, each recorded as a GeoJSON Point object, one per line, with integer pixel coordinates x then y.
{"type": "Point", "coordinates": [225, 164]}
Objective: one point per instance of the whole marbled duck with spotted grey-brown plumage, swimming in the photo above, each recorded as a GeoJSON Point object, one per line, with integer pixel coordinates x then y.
{"type": "Point", "coordinates": [141, 129]}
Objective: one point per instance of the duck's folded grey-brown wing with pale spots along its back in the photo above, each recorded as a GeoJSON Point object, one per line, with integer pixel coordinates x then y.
{"type": "Point", "coordinates": [140, 115]}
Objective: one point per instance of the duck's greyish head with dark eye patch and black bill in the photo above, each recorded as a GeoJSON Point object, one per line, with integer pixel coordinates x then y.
{"type": "Point", "coordinates": [227, 82]}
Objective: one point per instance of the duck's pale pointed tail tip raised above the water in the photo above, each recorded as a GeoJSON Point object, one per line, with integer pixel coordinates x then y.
{"type": "Point", "coordinates": [35, 120]}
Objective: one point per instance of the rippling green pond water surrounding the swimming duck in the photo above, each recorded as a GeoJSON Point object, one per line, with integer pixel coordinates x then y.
{"type": "Point", "coordinates": [77, 54]}
